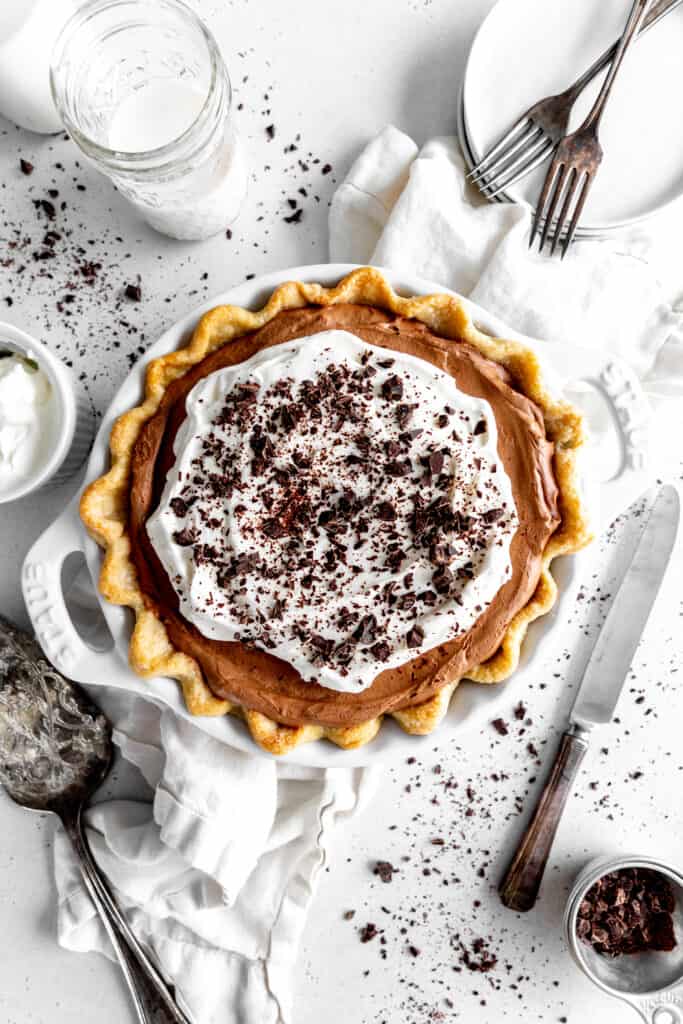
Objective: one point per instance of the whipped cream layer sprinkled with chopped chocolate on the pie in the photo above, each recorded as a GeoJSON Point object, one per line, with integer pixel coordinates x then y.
{"type": "Point", "coordinates": [338, 505]}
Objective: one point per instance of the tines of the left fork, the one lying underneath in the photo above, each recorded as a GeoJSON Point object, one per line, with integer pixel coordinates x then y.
{"type": "Point", "coordinates": [516, 155]}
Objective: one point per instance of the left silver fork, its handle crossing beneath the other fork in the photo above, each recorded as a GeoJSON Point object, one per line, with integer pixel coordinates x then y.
{"type": "Point", "coordinates": [535, 136]}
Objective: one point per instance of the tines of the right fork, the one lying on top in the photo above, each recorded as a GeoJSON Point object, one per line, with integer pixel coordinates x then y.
{"type": "Point", "coordinates": [570, 185]}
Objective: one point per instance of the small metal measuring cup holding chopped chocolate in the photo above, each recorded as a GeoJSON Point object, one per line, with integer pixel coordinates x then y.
{"type": "Point", "coordinates": [651, 983]}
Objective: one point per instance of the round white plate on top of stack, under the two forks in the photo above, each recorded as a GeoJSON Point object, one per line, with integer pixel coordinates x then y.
{"type": "Point", "coordinates": [527, 50]}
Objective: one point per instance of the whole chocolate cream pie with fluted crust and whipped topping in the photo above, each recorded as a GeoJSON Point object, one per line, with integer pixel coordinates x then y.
{"type": "Point", "coordinates": [335, 508]}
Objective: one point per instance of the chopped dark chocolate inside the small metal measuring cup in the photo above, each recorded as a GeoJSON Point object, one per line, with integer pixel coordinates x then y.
{"type": "Point", "coordinates": [629, 912]}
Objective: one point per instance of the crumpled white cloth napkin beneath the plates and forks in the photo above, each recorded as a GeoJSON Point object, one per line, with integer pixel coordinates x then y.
{"type": "Point", "coordinates": [412, 210]}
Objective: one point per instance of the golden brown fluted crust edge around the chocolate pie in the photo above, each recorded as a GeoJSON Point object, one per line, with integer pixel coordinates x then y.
{"type": "Point", "coordinates": [105, 506]}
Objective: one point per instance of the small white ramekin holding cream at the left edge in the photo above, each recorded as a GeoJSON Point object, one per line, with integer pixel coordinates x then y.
{"type": "Point", "coordinates": [74, 422]}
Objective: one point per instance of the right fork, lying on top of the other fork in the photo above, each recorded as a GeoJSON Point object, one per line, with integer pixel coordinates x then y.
{"type": "Point", "coordinates": [579, 155]}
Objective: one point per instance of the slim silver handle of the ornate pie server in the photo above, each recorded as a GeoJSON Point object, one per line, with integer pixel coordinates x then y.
{"type": "Point", "coordinates": [154, 1003]}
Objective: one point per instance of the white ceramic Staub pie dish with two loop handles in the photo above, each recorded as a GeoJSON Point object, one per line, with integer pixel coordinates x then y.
{"type": "Point", "coordinates": [621, 404]}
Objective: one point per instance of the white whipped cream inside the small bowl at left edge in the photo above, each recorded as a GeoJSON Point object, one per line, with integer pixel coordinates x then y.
{"type": "Point", "coordinates": [26, 415]}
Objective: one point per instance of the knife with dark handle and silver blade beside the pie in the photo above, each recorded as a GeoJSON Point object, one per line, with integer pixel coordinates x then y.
{"type": "Point", "coordinates": [600, 692]}
